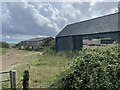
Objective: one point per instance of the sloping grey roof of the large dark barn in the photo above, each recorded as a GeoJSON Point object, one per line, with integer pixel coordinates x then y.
{"type": "Point", "coordinates": [108, 23]}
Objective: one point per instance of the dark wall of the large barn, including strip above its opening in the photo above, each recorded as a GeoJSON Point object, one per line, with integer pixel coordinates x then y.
{"type": "Point", "coordinates": [70, 43]}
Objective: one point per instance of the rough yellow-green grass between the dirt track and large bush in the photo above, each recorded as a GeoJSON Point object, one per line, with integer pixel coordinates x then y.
{"type": "Point", "coordinates": [43, 69]}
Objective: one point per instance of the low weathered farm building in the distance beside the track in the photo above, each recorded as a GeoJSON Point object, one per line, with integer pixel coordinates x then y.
{"type": "Point", "coordinates": [35, 43]}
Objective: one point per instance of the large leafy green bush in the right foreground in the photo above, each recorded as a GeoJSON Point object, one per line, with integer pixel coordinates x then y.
{"type": "Point", "coordinates": [93, 69]}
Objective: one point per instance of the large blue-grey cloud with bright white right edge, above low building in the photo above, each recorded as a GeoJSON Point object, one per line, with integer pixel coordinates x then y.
{"type": "Point", "coordinates": [26, 19]}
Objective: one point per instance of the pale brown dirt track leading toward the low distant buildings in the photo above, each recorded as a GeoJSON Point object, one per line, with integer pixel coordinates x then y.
{"type": "Point", "coordinates": [13, 56]}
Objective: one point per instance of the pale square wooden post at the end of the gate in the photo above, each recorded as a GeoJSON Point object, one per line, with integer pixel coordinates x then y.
{"type": "Point", "coordinates": [13, 79]}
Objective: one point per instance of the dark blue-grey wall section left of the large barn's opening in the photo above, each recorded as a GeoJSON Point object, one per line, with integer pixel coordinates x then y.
{"type": "Point", "coordinates": [68, 43]}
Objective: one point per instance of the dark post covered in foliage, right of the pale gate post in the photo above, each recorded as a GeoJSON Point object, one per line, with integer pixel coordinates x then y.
{"type": "Point", "coordinates": [26, 80]}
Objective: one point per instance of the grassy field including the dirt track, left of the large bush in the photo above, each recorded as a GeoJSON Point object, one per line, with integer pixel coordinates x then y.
{"type": "Point", "coordinates": [43, 68]}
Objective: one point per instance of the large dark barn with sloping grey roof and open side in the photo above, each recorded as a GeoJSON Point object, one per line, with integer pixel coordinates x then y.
{"type": "Point", "coordinates": [105, 27]}
